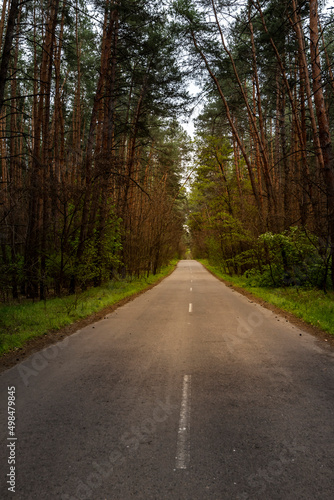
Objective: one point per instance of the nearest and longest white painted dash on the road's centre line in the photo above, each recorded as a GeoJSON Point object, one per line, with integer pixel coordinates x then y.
{"type": "Point", "coordinates": [183, 441]}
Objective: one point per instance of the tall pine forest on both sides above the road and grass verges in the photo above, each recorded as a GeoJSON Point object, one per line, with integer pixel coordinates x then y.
{"type": "Point", "coordinates": [100, 180]}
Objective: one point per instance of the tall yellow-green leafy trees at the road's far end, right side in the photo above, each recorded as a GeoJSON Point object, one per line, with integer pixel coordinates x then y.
{"type": "Point", "coordinates": [216, 212]}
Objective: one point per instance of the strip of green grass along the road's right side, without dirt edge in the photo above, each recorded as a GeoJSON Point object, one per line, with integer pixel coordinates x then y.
{"type": "Point", "coordinates": [311, 305]}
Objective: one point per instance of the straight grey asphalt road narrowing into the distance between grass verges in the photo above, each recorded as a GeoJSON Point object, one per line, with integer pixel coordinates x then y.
{"type": "Point", "coordinates": [191, 392]}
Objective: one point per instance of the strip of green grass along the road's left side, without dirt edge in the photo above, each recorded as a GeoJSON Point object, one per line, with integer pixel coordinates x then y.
{"type": "Point", "coordinates": [21, 322]}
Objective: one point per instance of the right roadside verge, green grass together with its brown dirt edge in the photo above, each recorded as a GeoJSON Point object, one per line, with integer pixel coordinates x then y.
{"type": "Point", "coordinates": [311, 310]}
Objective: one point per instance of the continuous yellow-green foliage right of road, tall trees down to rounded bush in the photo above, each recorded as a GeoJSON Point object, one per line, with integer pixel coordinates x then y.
{"type": "Point", "coordinates": [224, 228]}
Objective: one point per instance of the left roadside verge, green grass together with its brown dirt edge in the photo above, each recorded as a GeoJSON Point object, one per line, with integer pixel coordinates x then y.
{"type": "Point", "coordinates": [28, 328]}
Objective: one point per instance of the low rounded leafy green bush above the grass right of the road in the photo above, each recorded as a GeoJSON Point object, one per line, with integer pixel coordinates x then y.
{"type": "Point", "coordinates": [288, 259]}
